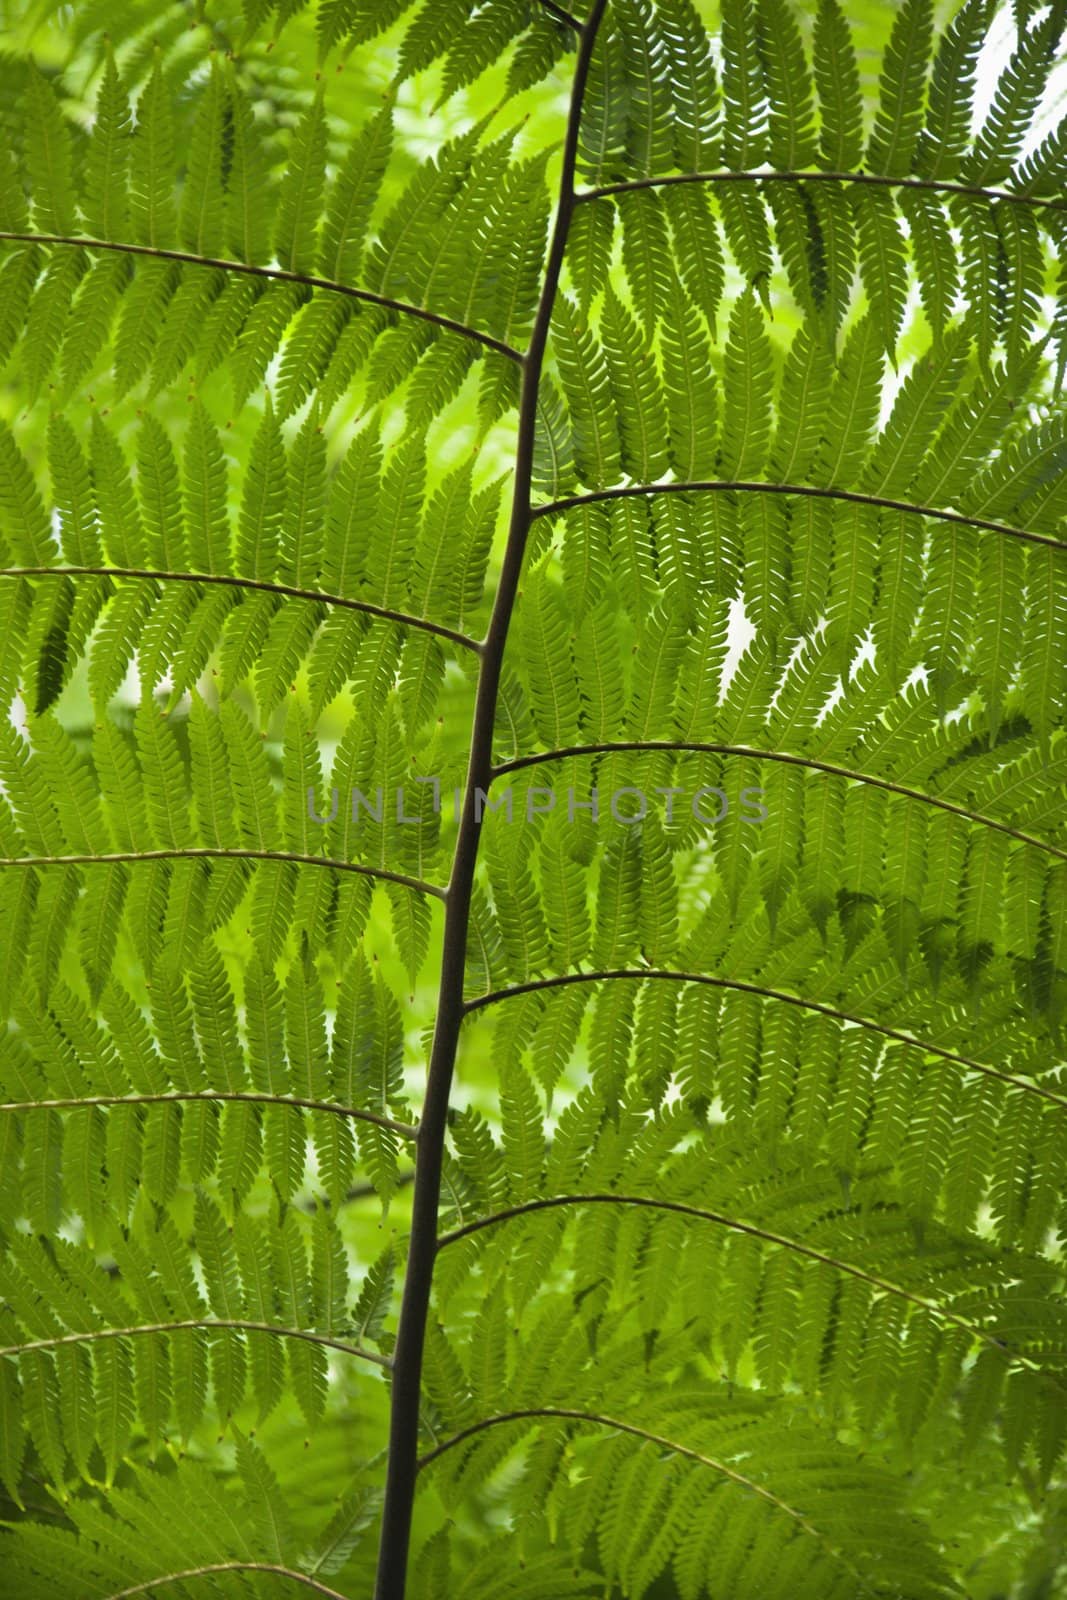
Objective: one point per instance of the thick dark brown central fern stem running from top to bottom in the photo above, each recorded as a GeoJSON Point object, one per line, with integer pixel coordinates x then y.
{"type": "Point", "coordinates": [404, 1433]}
